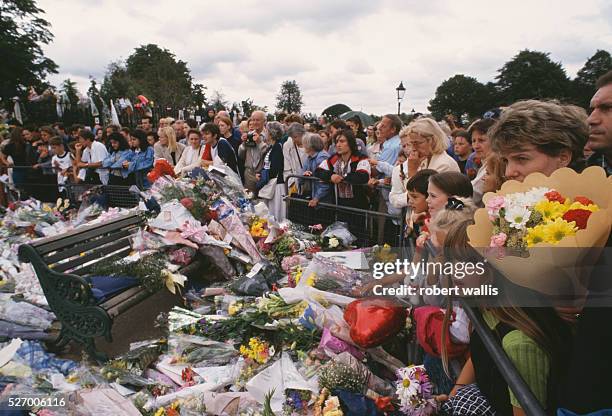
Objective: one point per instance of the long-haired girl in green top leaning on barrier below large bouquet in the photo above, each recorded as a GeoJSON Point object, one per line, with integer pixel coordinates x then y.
{"type": "Point", "coordinates": [535, 339]}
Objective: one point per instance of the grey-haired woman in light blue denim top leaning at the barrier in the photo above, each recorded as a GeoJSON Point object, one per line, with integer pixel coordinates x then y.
{"type": "Point", "coordinates": [319, 191]}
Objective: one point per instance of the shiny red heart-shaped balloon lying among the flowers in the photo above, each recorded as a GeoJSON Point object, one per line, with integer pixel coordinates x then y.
{"type": "Point", "coordinates": [374, 320]}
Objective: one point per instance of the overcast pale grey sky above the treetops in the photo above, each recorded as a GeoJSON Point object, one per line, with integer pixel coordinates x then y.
{"type": "Point", "coordinates": [339, 51]}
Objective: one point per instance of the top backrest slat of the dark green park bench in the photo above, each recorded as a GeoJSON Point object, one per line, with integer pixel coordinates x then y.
{"type": "Point", "coordinates": [80, 235]}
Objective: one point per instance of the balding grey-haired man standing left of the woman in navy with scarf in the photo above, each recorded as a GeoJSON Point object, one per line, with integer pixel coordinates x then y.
{"type": "Point", "coordinates": [253, 148]}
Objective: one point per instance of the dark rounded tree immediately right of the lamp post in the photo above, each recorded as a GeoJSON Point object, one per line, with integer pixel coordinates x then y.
{"type": "Point", "coordinates": [461, 94]}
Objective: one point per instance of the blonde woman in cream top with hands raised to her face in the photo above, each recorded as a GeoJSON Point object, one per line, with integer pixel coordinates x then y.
{"type": "Point", "coordinates": [425, 143]}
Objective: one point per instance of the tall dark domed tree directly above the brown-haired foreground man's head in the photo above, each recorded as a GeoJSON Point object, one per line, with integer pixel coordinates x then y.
{"type": "Point", "coordinates": [532, 74]}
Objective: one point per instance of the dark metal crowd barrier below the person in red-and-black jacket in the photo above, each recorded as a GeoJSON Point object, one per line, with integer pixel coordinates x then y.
{"type": "Point", "coordinates": [369, 226]}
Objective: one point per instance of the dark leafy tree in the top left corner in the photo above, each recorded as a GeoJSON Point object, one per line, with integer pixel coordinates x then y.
{"type": "Point", "coordinates": [22, 34]}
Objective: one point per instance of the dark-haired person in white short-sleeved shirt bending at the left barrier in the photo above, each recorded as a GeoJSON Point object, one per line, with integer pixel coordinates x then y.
{"type": "Point", "coordinates": [89, 157]}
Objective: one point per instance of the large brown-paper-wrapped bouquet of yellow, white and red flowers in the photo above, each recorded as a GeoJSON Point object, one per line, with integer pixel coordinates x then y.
{"type": "Point", "coordinates": [550, 230]}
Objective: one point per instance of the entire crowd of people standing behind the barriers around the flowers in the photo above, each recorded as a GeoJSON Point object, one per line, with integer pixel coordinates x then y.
{"type": "Point", "coordinates": [436, 171]}
